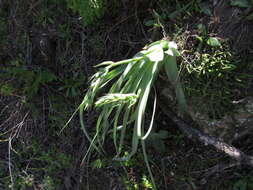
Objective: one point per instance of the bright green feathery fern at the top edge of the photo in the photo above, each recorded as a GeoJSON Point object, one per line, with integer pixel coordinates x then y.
{"type": "Point", "coordinates": [89, 10]}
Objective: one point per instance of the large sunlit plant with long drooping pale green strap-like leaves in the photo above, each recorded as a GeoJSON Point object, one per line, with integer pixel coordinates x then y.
{"type": "Point", "coordinates": [130, 83]}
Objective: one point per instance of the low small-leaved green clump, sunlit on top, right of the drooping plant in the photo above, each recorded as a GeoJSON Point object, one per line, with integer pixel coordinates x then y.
{"type": "Point", "coordinates": [213, 81]}
